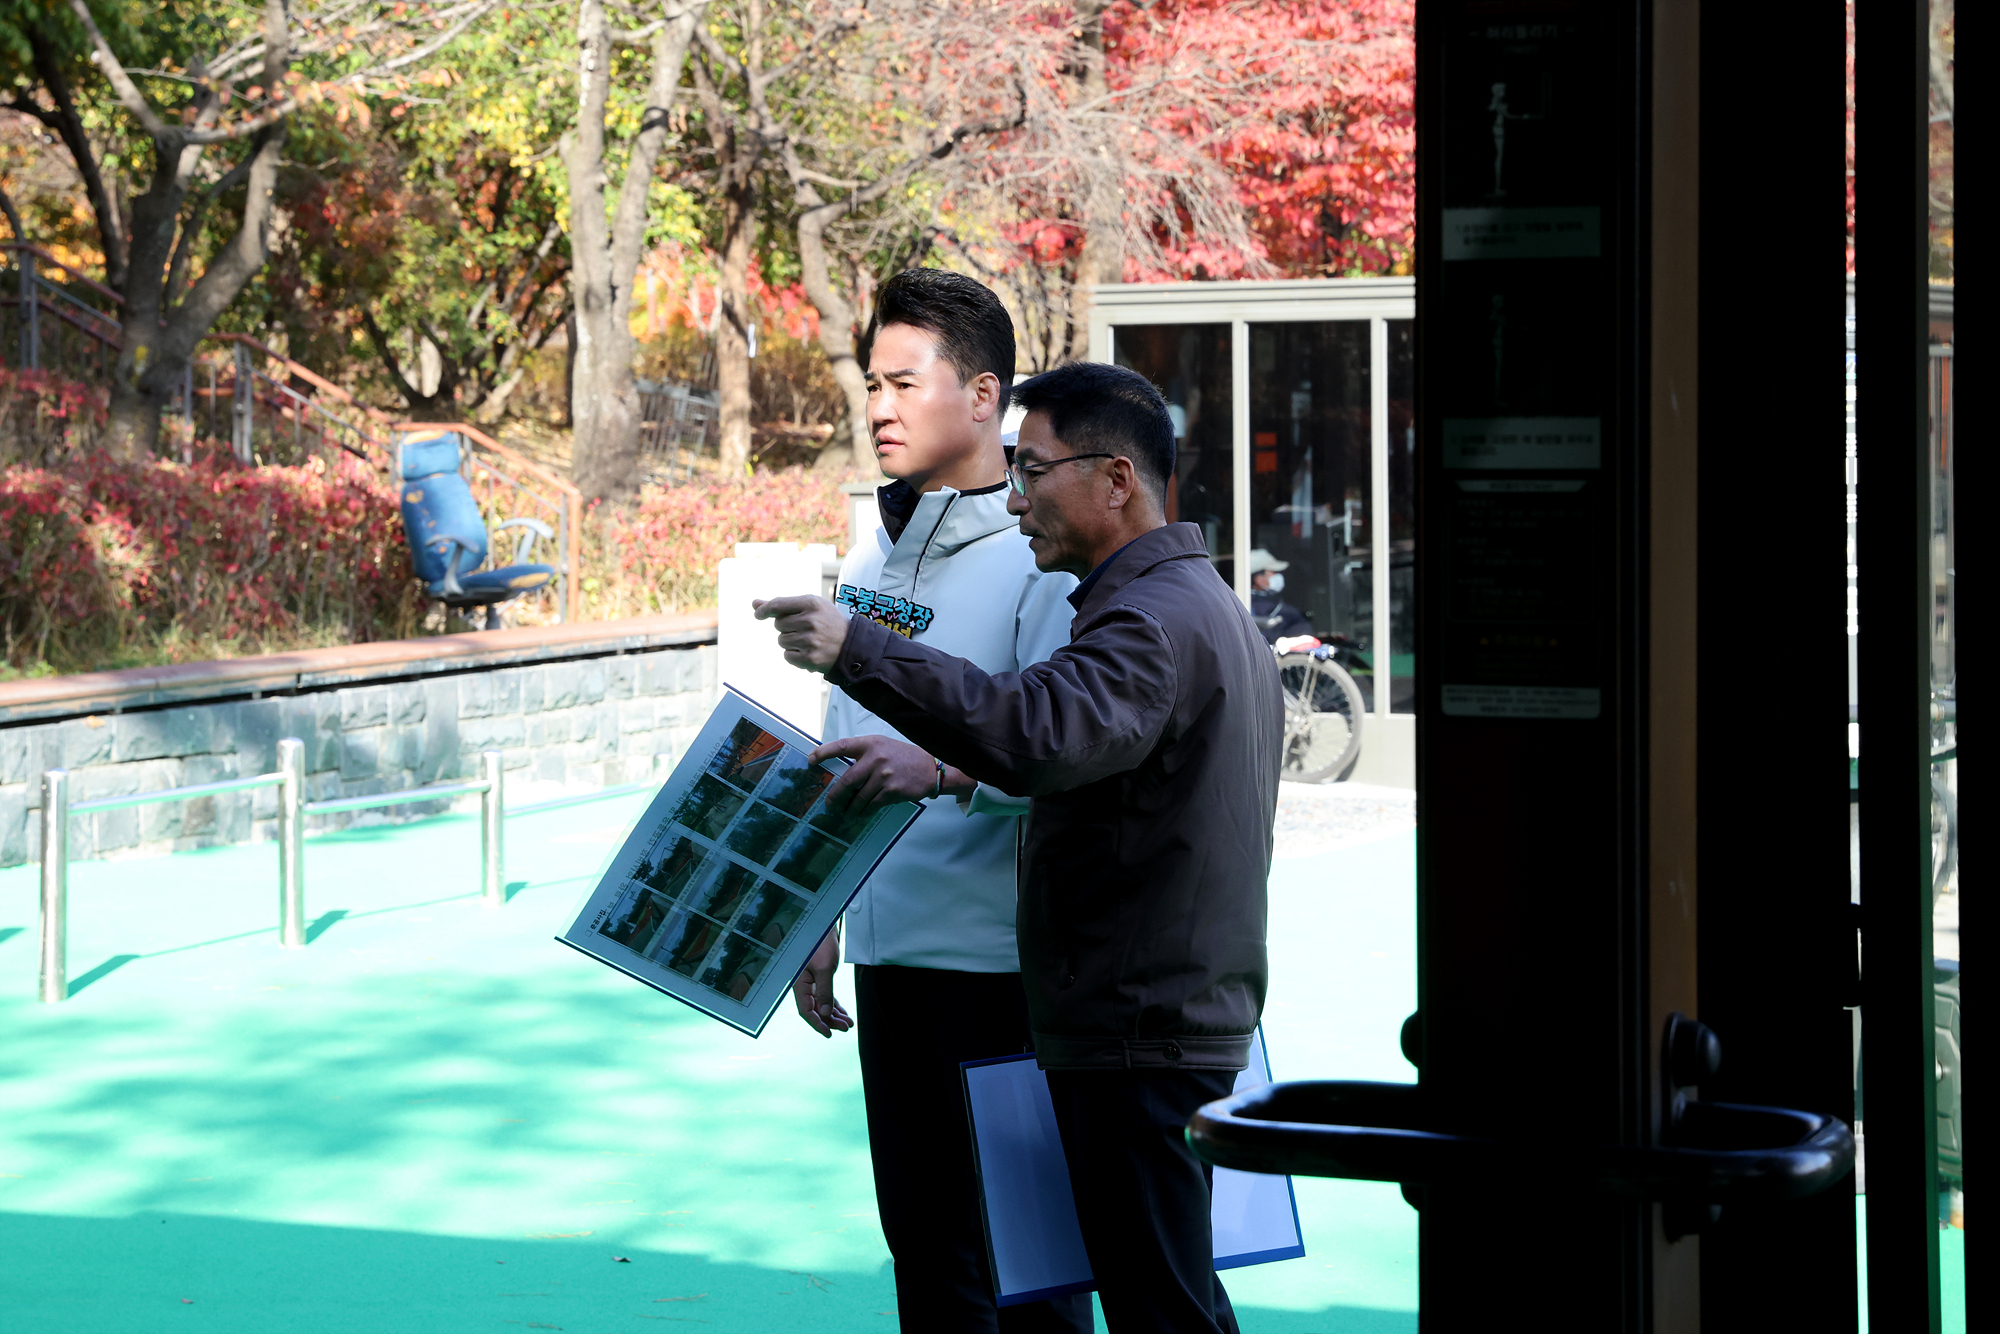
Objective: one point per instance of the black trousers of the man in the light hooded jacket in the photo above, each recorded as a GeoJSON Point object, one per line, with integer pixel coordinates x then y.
{"type": "Point", "coordinates": [913, 1027]}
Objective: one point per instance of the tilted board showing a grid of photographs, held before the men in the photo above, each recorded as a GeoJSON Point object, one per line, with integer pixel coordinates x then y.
{"type": "Point", "coordinates": [727, 875]}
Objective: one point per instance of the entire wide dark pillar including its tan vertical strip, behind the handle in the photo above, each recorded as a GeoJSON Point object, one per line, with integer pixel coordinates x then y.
{"type": "Point", "coordinates": [1631, 623]}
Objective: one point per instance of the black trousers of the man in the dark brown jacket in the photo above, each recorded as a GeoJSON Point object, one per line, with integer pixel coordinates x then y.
{"type": "Point", "coordinates": [1143, 1195]}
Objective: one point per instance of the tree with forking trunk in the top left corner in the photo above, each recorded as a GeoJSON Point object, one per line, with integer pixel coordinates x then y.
{"type": "Point", "coordinates": [213, 81]}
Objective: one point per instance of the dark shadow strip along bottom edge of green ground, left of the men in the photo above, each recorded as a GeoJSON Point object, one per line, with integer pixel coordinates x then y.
{"type": "Point", "coordinates": [117, 1275]}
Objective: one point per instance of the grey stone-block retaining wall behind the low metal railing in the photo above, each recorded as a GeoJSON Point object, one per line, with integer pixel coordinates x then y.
{"type": "Point", "coordinates": [563, 725]}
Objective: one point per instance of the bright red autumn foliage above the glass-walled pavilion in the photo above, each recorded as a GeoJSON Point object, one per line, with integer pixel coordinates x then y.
{"type": "Point", "coordinates": [1307, 105]}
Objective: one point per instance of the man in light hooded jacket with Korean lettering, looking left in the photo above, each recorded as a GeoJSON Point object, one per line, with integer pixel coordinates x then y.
{"type": "Point", "coordinates": [937, 969]}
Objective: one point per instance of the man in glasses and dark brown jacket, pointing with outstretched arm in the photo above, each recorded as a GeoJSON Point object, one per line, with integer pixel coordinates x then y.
{"type": "Point", "coordinates": [1151, 753]}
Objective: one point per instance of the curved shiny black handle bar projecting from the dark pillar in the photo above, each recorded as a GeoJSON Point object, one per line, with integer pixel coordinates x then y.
{"type": "Point", "coordinates": [1381, 1133]}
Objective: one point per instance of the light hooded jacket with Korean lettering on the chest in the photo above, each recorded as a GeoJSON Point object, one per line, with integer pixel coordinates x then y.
{"type": "Point", "coordinates": [955, 575]}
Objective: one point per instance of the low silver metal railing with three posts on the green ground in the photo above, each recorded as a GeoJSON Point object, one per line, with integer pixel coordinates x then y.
{"type": "Point", "coordinates": [293, 811]}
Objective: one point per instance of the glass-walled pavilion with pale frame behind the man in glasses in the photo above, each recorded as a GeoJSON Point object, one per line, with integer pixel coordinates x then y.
{"type": "Point", "coordinates": [1293, 407]}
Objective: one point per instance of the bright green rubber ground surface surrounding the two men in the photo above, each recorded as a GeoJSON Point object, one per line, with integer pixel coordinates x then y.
{"type": "Point", "coordinates": [437, 1119]}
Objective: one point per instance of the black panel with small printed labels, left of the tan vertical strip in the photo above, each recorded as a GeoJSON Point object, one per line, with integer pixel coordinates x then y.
{"type": "Point", "coordinates": [1537, 401]}
